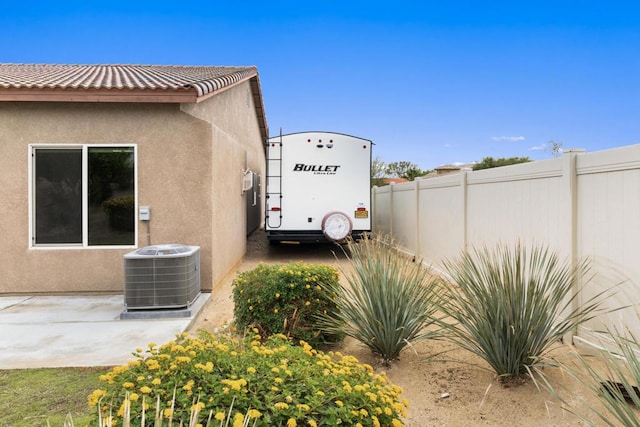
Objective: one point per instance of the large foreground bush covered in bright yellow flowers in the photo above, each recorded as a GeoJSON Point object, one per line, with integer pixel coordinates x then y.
{"type": "Point", "coordinates": [275, 384]}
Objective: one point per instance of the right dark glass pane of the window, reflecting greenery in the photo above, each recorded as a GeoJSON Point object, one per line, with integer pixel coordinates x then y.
{"type": "Point", "coordinates": [111, 214]}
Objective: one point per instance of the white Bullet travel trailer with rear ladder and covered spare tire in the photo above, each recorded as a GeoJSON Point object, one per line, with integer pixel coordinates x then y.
{"type": "Point", "coordinates": [318, 187]}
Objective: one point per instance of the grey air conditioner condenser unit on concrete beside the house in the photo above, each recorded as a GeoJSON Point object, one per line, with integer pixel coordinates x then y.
{"type": "Point", "coordinates": [162, 277]}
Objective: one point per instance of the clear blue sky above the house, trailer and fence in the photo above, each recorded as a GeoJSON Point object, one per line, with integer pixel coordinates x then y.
{"type": "Point", "coordinates": [431, 82]}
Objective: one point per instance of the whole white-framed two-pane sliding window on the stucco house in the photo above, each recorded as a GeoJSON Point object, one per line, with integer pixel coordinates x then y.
{"type": "Point", "coordinates": [83, 195]}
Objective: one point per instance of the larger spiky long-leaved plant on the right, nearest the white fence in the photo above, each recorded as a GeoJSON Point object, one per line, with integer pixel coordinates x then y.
{"type": "Point", "coordinates": [512, 303]}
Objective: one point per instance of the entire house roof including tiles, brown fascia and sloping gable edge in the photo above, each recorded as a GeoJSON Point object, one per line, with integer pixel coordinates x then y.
{"type": "Point", "coordinates": [125, 83]}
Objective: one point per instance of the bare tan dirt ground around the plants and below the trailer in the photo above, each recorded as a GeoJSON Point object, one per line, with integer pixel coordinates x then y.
{"type": "Point", "coordinates": [440, 393]}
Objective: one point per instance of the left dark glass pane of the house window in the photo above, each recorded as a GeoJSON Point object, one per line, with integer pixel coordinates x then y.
{"type": "Point", "coordinates": [58, 196]}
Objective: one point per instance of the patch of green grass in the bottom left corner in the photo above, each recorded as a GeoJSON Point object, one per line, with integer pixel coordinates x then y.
{"type": "Point", "coordinates": [33, 397]}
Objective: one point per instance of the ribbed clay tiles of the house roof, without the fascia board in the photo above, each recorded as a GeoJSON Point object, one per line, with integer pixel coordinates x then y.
{"type": "Point", "coordinates": [202, 80]}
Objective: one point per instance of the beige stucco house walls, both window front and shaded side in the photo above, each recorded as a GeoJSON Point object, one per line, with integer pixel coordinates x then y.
{"type": "Point", "coordinates": [190, 159]}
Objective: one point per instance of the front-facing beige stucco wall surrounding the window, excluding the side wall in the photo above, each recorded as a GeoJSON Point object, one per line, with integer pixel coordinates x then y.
{"type": "Point", "coordinates": [173, 175]}
